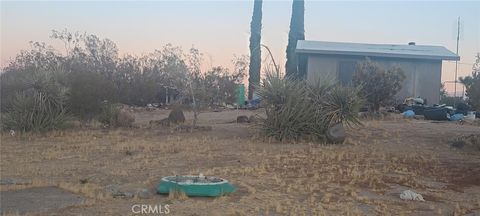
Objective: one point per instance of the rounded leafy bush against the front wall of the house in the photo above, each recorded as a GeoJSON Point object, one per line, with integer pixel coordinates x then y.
{"type": "Point", "coordinates": [377, 85]}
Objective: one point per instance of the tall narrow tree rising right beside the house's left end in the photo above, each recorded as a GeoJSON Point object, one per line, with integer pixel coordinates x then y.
{"type": "Point", "coordinates": [297, 32]}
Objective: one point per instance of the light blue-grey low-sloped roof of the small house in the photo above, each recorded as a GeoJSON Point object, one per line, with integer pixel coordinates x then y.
{"type": "Point", "coordinates": [376, 50]}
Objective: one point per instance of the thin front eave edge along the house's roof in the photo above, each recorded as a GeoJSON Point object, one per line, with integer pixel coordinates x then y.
{"type": "Point", "coordinates": [374, 54]}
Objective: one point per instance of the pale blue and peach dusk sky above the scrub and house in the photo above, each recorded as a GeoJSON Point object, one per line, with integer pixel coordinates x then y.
{"type": "Point", "coordinates": [220, 29]}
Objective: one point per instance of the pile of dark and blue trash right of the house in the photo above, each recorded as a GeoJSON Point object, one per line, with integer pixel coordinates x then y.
{"type": "Point", "coordinates": [417, 106]}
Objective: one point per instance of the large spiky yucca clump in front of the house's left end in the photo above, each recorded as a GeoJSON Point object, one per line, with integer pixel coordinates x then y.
{"type": "Point", "coordinates": [297, 110]}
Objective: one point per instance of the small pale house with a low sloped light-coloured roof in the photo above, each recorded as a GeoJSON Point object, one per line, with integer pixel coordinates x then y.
{"type": "Point", "coordinates": [422, 64]}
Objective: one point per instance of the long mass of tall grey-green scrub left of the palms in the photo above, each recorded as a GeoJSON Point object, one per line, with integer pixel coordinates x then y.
{"type": "Point", "coordinates": [42, 87]}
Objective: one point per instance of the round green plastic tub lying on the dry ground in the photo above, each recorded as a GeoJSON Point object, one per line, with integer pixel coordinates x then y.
{"type": "Point", "coordinates": [195, 186]}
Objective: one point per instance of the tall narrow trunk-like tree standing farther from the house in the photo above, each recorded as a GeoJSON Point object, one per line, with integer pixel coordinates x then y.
{"type": "Point", "coordinates": [255, 52]}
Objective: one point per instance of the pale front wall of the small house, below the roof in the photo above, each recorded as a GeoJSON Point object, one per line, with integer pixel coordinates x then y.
{"type": "Point", "coordinates": [423, 77]}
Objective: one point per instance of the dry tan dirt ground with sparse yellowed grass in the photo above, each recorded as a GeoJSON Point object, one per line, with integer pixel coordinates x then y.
{"type": "Point", "coordinates": [363, 176]}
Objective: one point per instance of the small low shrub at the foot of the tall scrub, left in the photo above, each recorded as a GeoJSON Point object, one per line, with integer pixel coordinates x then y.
{"type": "Point", "coordinates": [112, 116]}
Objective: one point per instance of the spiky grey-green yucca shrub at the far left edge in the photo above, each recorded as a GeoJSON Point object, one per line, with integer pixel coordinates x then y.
{"type": "Point", "coordinates": [38, 105]}
